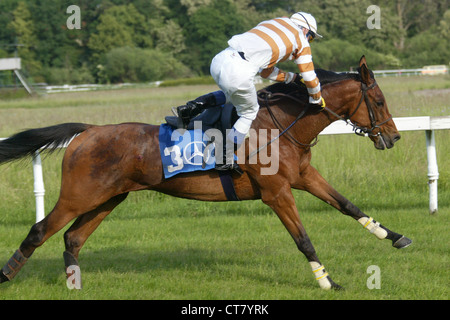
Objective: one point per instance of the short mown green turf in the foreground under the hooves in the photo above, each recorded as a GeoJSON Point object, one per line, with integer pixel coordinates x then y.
{"type": "Point", "coordinates": [246, 257]}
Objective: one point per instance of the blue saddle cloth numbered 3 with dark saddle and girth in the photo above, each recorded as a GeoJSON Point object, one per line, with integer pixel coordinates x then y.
{"type": "Point", "coordinates": [191, 150]}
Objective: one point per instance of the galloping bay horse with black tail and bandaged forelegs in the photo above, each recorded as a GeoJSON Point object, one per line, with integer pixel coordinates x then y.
{"type": "Point", "coordinates": [102, 164]}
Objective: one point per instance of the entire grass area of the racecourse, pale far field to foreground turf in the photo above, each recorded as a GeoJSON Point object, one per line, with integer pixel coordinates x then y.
{"type": "Point", "coordinates": [155, 246]}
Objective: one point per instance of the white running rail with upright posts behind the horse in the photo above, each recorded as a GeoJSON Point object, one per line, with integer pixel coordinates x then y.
{"type": "Point", "coordinates": [427, 124]}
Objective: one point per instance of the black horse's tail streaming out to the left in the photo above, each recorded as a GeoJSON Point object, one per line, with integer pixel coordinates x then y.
{"type": "Point", "coordinates": [26, 143]}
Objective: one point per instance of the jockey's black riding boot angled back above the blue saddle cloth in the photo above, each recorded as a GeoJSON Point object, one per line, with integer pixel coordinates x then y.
{"type": "Point", "coordinates": [195, 107]}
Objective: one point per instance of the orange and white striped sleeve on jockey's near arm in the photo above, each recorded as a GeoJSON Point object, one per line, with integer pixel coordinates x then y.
{"type": "Point", "coordinates": [306, 67]}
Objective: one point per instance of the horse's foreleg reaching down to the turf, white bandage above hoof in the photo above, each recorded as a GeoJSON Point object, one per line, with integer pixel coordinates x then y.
{"type": "Point", "coordinates": [281, 200]}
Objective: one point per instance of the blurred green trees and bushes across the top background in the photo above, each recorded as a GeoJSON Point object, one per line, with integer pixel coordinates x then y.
{"type": "Point", "coordinates": [153, 40]}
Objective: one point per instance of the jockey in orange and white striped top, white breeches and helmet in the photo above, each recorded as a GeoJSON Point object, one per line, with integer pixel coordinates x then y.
{"type": "Point", "coordinates": [258, 51]}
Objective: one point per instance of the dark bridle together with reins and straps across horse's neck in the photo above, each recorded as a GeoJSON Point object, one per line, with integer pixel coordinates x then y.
{"type": "Point", "coordinates": [359, 130]}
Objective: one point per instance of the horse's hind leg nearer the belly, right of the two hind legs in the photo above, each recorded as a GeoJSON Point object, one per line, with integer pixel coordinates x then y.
{"type": "Point", "coordinates": [81, 229]}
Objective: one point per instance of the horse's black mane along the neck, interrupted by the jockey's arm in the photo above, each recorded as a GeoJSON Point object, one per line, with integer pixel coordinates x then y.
{"type": "Point", "coordinates": [325, 77]}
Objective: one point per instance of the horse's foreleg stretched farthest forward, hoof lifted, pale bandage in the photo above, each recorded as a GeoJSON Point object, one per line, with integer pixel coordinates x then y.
{"type": "Point", "coordinates": [314, 183]}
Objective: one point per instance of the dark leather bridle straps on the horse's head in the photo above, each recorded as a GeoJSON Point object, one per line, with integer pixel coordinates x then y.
{"type": "Point", "coordinates": [359, 130]}
